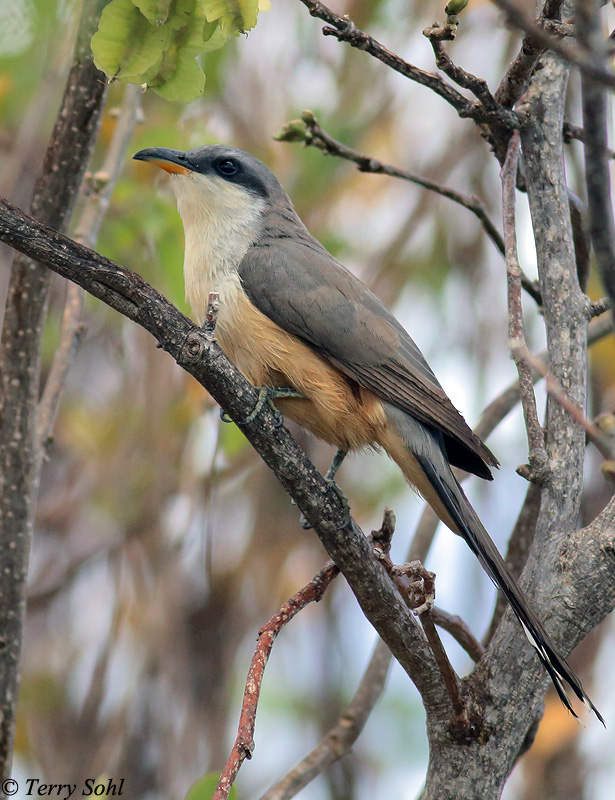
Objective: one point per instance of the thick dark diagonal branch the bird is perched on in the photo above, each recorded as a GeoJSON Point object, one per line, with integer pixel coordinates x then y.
{"type": "Point", "coordinates": [198, 353]}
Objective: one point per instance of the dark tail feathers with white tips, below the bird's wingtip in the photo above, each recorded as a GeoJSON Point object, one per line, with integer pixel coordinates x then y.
{"type": "Point", "coordinates": [461, 512]}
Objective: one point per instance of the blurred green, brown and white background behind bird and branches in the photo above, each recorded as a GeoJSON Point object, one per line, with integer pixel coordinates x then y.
{"type": "Point", "coordinates": [162, 543]}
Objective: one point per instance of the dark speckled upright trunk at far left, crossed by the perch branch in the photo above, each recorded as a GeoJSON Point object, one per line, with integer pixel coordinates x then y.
{"type": "Point", "coordinates": [65, 162]}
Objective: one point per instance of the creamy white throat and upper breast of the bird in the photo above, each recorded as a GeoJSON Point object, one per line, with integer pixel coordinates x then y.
{"type": "Point", "coordinates": [220, 221]}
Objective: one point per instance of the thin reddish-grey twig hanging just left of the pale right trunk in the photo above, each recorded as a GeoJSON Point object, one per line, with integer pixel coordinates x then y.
{"type": "Point", "coordinates": [535, 433]}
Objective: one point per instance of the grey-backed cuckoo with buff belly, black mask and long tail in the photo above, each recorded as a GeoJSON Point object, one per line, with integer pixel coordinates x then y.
{"type": "Point", "coordinates": [292, 316]}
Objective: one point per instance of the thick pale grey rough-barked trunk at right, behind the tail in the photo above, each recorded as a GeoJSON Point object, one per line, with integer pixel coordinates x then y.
{"type": "Point", "coordinates": [569, 576]}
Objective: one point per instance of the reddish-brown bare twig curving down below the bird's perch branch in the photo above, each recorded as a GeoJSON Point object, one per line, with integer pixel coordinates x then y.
{"type": "Point", "coordinates": [244, 743]}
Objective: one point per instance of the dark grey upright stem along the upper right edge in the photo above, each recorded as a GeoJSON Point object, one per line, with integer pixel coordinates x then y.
{"type": "Point", "coordinates": [597, 173]}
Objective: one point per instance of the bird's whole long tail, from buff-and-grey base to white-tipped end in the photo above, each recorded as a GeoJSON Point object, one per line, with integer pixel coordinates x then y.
{"type": "Point", "coordinates": [423, 460]}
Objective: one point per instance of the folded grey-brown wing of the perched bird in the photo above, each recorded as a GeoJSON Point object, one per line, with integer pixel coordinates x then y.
{"type": "Point", "coordinates": [296, 283]}
